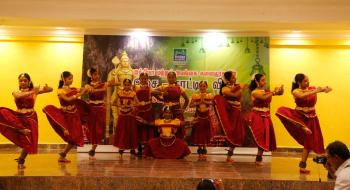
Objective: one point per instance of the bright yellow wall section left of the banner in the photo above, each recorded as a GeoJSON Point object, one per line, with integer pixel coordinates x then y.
{"type": "Point", "coordinates": [44, 60]}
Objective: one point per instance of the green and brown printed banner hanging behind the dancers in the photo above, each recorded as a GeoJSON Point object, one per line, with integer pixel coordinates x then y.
{"type": "Point", "coordinates": [192, 58]}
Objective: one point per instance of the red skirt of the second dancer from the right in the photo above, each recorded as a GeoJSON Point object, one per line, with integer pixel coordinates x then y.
{"type": "Point", "coordinates": [262, 130]}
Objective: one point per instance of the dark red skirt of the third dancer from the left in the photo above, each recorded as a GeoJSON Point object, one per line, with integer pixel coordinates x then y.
{"type": "Point", "coordinates": [96, 123]}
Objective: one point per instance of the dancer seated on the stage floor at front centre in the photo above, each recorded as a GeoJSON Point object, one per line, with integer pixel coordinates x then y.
{"type": "Point", "coordinates": [167, 145]}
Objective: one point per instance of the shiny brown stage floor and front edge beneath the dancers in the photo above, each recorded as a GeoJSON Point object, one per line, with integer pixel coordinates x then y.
{"type": "Point", "coordinates": [108, 172]}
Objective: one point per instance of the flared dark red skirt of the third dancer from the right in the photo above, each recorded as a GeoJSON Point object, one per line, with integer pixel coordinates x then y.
{"type": "Point", "coordinates": [231, 120]}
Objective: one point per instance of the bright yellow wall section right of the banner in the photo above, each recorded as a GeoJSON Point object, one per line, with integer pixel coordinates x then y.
{"type": "Point", "coordinates": [325, 65]}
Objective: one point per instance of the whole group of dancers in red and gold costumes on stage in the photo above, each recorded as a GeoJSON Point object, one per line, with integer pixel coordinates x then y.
{"type": "Point", "coordinates": [137, 127]}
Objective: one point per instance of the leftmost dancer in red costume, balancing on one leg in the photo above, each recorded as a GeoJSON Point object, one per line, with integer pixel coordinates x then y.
{"type": "Point", "coordinates": [21, 126]}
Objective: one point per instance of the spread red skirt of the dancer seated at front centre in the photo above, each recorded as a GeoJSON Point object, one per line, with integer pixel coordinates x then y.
{"type": "Point", "coordinates": [163, 148]}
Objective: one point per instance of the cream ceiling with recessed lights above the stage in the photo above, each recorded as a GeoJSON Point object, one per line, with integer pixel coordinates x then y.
{"type": "Point", "coordinates": [275, 18]}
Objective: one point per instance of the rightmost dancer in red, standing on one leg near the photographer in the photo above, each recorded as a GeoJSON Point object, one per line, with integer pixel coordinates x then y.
{"type": "Point", "coordinates": [302, 122]}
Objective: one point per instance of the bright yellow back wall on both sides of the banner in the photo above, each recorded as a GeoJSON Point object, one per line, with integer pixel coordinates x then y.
{"type": "Point", "coordinates": [325, 65]}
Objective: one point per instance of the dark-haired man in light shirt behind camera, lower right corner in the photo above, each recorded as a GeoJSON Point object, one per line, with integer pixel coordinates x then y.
{"type": "Point", "coordinates": [338, 164]}
